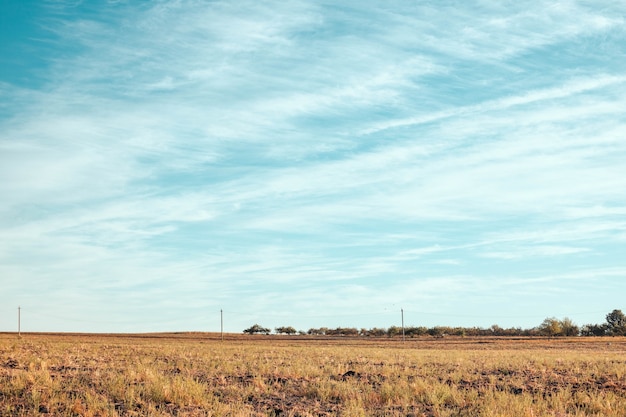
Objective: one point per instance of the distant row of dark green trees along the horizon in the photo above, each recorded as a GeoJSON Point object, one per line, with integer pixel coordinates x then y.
{"type": "Point", "coordinates": [615, 325]}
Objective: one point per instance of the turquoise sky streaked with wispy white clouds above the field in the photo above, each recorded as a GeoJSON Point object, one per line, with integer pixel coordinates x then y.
{"type": "Point", "coordinates": [310, 164]}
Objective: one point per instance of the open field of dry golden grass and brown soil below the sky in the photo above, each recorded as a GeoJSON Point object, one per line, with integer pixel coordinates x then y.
{"type": "Point", "coordinates": [197, 374]}
